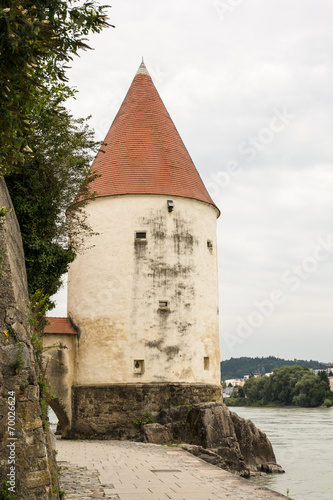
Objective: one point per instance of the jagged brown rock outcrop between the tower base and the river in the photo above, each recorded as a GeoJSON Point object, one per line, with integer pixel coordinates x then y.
{"type": "Point", "coordinates": [218, 436]}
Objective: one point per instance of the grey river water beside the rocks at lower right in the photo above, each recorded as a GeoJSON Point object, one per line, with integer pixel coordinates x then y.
{"type": "Point", "coordinates": [302, 440]}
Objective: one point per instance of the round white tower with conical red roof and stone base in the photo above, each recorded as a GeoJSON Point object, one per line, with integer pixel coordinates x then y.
{"type": "Point", "coordinates": [144, 296]}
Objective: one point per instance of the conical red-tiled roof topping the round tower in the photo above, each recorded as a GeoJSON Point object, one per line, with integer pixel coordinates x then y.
{"type": "Point", "coordinates": [143, 152]}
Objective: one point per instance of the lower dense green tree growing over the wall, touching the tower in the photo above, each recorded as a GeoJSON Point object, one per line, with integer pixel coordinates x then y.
{"type": "Point", "coordinates": [43, 189]}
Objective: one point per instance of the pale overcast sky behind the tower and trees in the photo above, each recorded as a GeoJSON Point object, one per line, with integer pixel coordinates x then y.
{"type": "Point", "coordinates": [248, 85]}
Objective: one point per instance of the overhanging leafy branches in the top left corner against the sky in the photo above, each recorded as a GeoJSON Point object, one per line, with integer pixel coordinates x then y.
{"type": "Point", "coordinates": [38, 38]}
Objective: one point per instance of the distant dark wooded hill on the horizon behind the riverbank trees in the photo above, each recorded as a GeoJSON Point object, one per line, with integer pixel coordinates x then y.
{"type": "Point", "coordinates": [238, 367]}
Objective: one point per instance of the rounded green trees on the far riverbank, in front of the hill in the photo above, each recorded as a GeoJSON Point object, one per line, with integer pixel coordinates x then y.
{"type": "Point", "coordinates": [287, 386]}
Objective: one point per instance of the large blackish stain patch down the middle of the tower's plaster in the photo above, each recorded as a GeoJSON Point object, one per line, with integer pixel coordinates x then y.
{"type": "Point", "coordinates": [163, 268]}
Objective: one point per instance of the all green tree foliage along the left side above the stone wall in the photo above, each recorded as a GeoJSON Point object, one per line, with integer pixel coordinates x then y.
{"type": "Point", "coordinates": [44, 151]}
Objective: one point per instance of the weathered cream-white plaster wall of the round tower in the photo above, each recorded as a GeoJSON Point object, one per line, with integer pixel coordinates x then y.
{"type": "Point", "coordinates": [114, 289]}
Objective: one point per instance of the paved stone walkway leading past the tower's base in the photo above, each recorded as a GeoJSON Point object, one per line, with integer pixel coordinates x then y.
{"type": "Point", "coordinates": [125, 470]}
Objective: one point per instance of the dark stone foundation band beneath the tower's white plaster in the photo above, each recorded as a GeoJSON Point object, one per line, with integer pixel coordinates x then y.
{"type": "Point", "coordinates": [108, 411]}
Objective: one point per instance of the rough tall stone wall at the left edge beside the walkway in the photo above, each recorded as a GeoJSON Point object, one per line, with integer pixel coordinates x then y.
{"type": "Point", "coordinates": [27, 460]}
